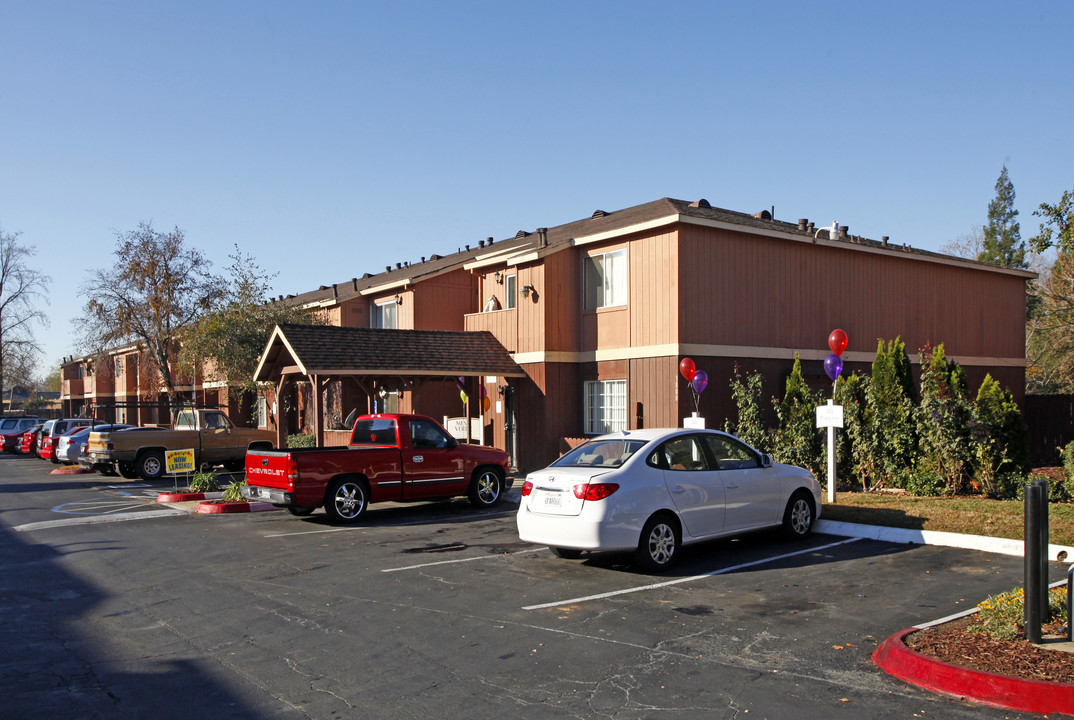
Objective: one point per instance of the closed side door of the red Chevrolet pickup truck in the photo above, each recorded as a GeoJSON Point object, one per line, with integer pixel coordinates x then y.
{"type": "Point", "coordinates": [433, 467]}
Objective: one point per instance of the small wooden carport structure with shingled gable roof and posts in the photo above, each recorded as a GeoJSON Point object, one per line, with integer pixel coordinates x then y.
{"type": "Point", "coordinates": [366, 356]}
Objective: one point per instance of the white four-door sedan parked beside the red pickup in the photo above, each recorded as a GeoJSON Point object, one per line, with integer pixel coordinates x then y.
{"type": "Point", "coordinates": [652, 492]}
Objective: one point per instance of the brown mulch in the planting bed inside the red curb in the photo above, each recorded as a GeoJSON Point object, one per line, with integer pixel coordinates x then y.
{"type": "Point", "coordinates": [953, 643]}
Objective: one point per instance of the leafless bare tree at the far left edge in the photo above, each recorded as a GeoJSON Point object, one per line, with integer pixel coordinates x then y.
{"type": "Point", "coordinates": [23, 294]}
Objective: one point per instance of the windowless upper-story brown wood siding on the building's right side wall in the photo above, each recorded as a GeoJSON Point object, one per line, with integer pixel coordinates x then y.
{"type": "Point", "coordinates": [760, 292]}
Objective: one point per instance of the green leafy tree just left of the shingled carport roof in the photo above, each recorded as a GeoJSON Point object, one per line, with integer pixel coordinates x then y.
{"type": "Point", "coordinates": [231, 336]}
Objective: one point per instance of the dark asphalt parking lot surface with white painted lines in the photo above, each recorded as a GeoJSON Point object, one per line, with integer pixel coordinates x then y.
{"type": "Point", "coordinates": [118, 608]}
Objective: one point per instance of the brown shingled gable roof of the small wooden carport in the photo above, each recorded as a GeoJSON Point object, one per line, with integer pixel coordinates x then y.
{"type": "Point", "coordinates": [335, 351]}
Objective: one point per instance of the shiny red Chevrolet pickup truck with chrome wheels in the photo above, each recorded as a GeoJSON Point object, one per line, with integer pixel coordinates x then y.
{"type": "Point", "coordinates": [390, 458]}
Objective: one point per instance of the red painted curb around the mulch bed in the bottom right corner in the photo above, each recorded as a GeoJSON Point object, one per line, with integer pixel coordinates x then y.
{"type": "Point", "coordinates": [896, 658]}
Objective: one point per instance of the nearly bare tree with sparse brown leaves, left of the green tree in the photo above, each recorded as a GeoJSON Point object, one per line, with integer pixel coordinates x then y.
{"type": "Point", "coordinates": [155, 292]}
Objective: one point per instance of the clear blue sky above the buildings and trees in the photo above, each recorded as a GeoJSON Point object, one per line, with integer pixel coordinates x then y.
{"type": "Point", "coordinates": [331, 139]}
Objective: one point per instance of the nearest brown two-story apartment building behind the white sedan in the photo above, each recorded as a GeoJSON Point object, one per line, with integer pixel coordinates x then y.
{"type": "Point", "coordinates": [600, 312]}
